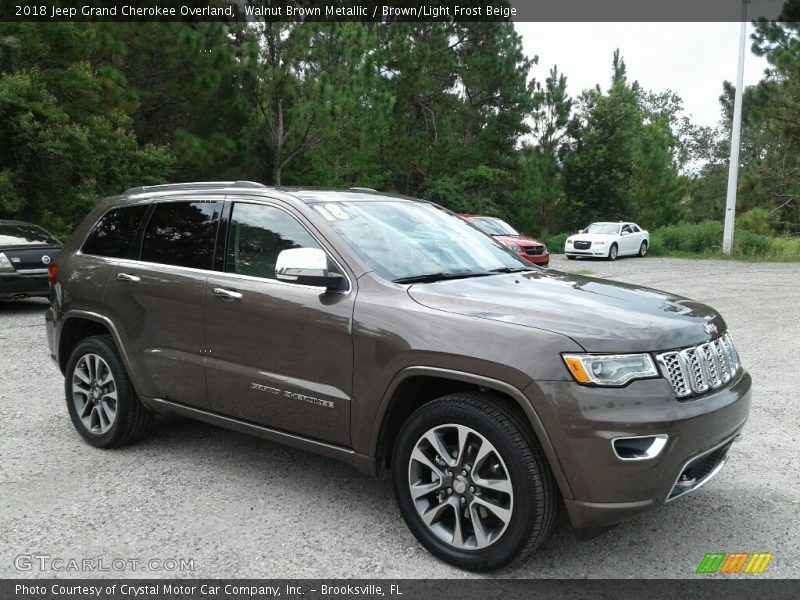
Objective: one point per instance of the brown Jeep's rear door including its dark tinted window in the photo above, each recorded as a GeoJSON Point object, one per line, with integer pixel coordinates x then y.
{"type": "Point", "coordinates": [156, 298]}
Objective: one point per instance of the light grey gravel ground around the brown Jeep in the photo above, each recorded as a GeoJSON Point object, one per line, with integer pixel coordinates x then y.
{"type": "Point", "coordinates": [242, 507]}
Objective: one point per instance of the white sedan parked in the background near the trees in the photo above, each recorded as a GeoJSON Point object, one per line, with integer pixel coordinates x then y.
{"type": "Point", "coordinates": [608, 240]}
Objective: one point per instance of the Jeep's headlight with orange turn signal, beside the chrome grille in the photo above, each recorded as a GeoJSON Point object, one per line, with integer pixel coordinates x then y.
{"type": "Point", "coordinates": [610, 369]}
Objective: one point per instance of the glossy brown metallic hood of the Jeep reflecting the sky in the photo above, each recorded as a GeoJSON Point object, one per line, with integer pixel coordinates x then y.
{"type": "Point", "coordinates": [600, 315]}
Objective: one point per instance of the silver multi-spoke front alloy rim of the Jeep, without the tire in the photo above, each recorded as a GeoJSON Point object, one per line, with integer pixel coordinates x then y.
{"type": "Point", "coordinates": [460, 486]}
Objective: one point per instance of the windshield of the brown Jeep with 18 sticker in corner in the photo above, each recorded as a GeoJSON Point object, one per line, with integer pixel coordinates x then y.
{"type": "Point", "coordinates": [403, 240]}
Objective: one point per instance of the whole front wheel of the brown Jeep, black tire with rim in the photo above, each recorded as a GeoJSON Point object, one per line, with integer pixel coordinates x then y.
{"type": "Point", "coordinates": [512, 461]}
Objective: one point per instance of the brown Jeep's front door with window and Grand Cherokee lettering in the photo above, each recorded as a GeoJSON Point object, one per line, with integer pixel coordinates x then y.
{"type": "Point", "coordinates": [279, 354]}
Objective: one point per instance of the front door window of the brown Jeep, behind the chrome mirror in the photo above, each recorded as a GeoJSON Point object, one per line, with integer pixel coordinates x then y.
{"type": "Point", "coordinates": [257, 235]}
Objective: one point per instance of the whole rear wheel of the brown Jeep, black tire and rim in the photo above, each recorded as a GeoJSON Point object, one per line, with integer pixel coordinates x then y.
{"type": "Point", "coordinates": [95, 374]}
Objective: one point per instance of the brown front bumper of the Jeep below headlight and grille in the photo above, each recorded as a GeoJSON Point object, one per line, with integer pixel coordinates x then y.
{"type": "Point", "coordinates": [582, 423]}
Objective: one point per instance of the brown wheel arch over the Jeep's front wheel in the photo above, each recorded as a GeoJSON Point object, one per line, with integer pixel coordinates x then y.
{"type": "Point", "coordinates": [425, 384]}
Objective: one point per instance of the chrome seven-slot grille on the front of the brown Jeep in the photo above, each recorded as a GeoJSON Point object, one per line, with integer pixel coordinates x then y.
{"type": "Point", "coordinates": [696, 370]}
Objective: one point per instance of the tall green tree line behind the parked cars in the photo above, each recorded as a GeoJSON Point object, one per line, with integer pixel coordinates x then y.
{"type": "Point", "coordinates": [448, 112]}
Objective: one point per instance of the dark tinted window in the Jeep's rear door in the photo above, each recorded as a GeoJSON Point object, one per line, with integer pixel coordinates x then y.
{"type": "Point", "coordinates": [181, 234]}
